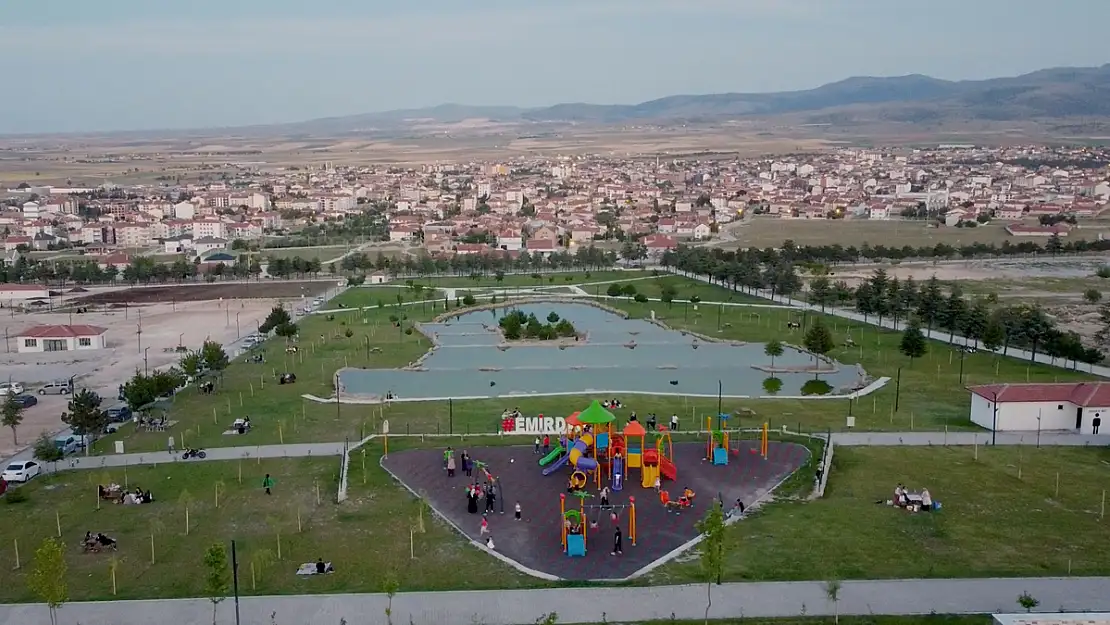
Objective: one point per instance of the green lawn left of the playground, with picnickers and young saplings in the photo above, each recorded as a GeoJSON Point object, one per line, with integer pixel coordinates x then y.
{"type": "Point", "coordinates": [367, 538]}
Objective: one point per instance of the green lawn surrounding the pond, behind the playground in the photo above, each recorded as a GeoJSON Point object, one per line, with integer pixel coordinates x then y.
{"type": "Point", "coordinates": [931, 396]}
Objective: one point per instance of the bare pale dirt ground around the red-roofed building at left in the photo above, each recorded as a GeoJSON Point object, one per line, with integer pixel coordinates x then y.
{"type": "Point", "coordinates": [196, 316]}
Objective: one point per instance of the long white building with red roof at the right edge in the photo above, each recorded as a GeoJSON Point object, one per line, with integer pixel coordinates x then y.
{"type": "Point", "coordinates": [1074, 407]}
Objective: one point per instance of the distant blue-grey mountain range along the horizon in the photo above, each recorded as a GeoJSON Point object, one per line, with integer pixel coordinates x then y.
{"type": "Point", "coordinates": [1051, 94]}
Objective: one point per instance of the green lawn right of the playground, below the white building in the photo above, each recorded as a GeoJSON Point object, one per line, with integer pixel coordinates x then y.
{"type": "Point", "coordinates": [1002, 517]}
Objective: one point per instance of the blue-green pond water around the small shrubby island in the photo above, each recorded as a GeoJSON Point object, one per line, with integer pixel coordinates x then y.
{"type": "Point", "coordinates": [470, 365]}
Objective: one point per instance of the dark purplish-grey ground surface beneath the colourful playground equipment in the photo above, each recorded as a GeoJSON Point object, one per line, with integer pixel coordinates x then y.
{"type": "Point", "coordinates": [534, 541]}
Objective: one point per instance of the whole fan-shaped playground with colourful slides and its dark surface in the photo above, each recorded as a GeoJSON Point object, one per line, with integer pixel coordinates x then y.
{"type": "Point", "coordinates": [567, 530]}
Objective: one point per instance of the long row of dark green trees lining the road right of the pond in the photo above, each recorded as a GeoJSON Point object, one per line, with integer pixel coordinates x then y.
{"type": "Point", "coordinates": [935, 306]}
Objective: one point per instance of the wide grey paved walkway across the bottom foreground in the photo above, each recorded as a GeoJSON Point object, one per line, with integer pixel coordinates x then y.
{"type": "Point", "coordinates": [601, 604]}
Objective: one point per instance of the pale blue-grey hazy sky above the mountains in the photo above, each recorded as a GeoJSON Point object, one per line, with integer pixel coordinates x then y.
{"type": "Point", "coordinates": [77, 66]}
